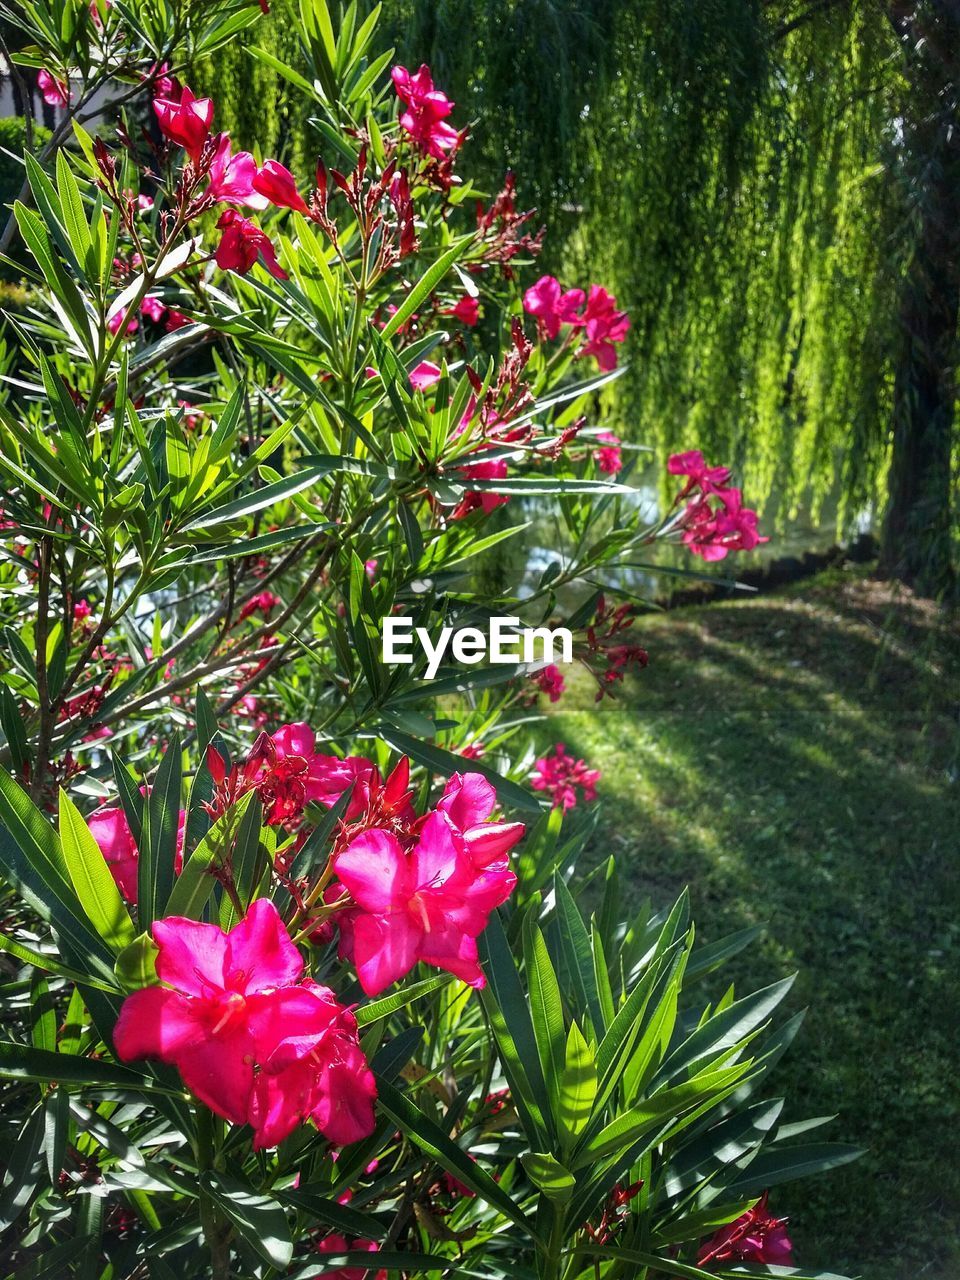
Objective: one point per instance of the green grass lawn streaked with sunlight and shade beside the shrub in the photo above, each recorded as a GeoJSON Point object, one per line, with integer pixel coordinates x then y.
{"type": "Point", "coordinates": [796, 758]}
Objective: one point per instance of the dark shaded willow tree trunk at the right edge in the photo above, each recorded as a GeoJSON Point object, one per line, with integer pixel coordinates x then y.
{"type": "Point", "coordinates": [918, 532]}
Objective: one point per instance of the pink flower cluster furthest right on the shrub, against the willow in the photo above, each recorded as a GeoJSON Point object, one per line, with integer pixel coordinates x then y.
{"type": "Point", "coordinates": [716, 522]}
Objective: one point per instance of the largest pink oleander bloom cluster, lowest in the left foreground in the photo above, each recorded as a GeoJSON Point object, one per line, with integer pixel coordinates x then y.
{"type": "Point", "coordinates": [250, 1039]}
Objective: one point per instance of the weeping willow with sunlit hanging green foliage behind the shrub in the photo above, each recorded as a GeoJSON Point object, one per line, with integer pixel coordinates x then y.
{"type": "Point", "coordinates": [772, 188]}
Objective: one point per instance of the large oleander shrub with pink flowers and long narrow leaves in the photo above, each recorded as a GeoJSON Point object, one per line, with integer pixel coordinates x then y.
{"type": "Point", "coordinates": [305, 966]}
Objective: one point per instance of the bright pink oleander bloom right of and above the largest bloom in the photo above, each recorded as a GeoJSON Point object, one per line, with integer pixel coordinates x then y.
{"type": "Point", "coordinates": [429, 904]}
